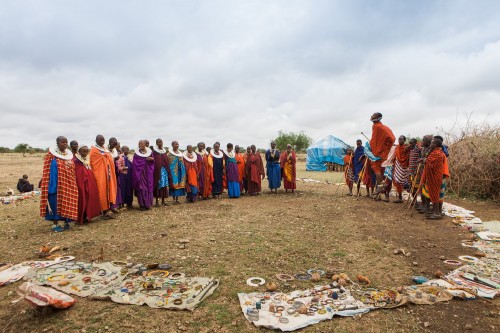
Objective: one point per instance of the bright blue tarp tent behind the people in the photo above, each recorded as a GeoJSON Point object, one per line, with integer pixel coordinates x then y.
{"type": "Point", "coordinates": [329, 149]}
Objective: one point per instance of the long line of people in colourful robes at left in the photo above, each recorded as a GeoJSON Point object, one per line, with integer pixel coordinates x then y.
{"type": "Point", "coordinates": [83, 183]}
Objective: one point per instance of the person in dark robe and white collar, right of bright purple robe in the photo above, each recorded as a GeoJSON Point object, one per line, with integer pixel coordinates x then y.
{"type": "Point", "coordinates": [162, 172]}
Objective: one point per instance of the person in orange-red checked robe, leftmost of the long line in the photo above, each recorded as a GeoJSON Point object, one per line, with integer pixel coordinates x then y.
{"type": "Point", "coordinates": [59, 200]}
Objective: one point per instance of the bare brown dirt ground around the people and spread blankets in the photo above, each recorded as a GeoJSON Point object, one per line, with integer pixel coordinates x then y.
{"type": "Point", "coordinates": [252, 236]}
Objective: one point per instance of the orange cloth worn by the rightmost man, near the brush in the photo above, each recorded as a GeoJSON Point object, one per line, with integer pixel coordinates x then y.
{"type": "Point", "coordinates": [434, 171]}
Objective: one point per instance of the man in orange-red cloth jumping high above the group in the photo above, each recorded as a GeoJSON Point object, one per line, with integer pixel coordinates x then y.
{"type": "Point", "coordinates": [380, 144]}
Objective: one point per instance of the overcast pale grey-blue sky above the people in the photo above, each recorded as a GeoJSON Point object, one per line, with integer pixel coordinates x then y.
{"type": "Point", "coordinates": [240, 71]}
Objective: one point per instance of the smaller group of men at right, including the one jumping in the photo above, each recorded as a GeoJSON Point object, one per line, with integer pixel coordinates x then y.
{"type": "Point", "coordinates": [420, 168]}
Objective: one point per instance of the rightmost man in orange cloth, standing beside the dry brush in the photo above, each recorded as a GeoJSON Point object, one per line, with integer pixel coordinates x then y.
{"type": "Point", "coordinates": [433, 178]}
